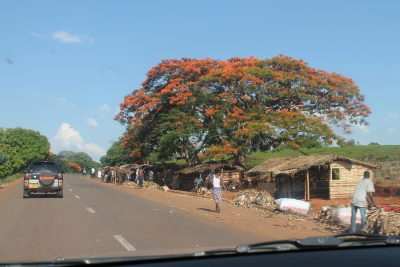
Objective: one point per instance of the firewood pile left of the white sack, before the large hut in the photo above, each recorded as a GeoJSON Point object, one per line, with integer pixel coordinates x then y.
{"type": "Point", "coordinates": [251, 196]}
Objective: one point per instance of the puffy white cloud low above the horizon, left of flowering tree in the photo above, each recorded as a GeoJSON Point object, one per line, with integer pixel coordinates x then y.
{"type": "Point", "coordinates": [69, 139]}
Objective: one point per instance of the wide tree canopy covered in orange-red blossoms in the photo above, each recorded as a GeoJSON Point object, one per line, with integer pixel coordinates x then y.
{"type": "Point", "coordinates": [212, 108]}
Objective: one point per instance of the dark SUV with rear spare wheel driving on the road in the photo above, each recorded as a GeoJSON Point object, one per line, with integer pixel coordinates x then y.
{"type": "Point", "coordinates": [43, 177]}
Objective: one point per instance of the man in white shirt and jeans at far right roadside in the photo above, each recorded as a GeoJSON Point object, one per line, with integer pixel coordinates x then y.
{"type": "Point", "coordinates": [361, 198]}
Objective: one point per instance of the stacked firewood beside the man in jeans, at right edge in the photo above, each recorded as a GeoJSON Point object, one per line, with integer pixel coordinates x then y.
{"type": "Point", "coordinates": [383, 220]}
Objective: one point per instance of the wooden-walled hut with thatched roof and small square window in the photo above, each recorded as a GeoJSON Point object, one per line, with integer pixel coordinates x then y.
{"type": "Point", "coordinates": [326, 176]}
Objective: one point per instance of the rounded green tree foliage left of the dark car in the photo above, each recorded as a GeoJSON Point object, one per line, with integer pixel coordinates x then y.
{"type": "Point", "coordinates": [22, 146]}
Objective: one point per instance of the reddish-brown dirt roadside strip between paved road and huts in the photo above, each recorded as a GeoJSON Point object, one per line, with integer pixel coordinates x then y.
{"type": "Point", "coordinates": [272, 225]}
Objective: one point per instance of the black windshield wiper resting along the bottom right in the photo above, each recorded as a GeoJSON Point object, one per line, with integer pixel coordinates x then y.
{"type": "Point", "coordinates": [341, 240]}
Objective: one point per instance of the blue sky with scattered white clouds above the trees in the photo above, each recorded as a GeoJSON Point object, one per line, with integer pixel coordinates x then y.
{"type": "Point", "coordinates": [65, 66]}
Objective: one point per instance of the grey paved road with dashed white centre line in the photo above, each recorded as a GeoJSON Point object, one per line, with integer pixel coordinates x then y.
{"type": "Point", "coordinates": [95, 219]}
